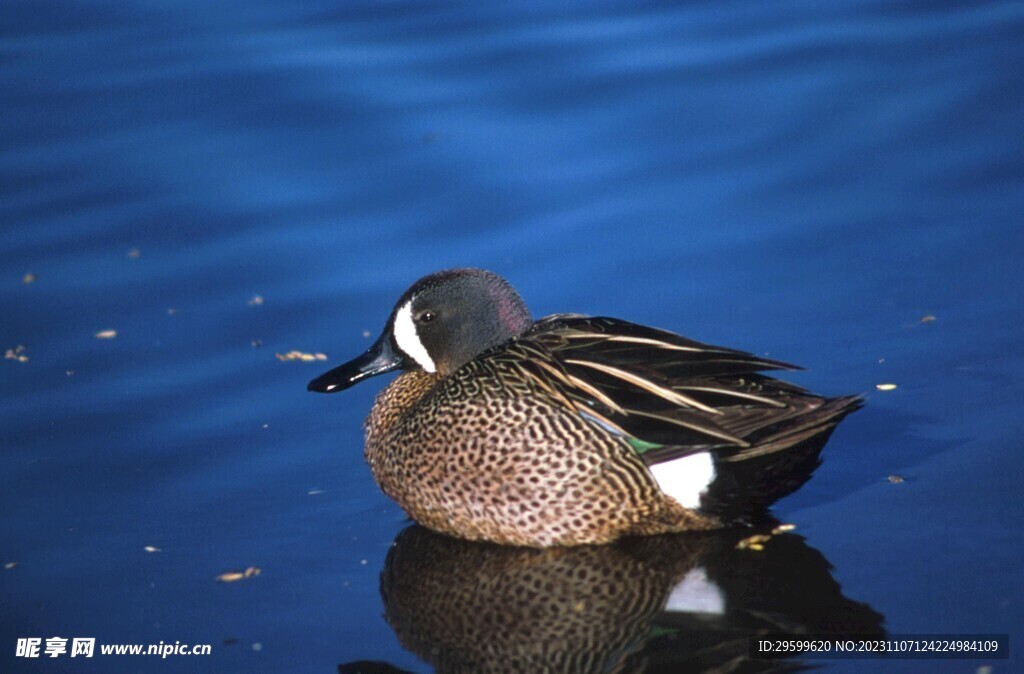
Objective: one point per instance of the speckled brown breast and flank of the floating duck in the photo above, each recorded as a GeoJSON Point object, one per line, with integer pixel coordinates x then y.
{"type": "Point", "coordinates": [483, 455]}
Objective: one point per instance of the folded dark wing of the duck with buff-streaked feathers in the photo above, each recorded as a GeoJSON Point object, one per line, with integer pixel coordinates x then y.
{"type": "Point", "coordinates": [669, 394]}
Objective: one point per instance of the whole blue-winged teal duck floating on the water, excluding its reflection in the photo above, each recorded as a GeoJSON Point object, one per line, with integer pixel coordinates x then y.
{"type": "Point", "coordinates": [573, 430]}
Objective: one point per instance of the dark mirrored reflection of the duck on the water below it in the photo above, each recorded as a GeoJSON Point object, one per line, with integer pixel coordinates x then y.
{"type": "Point", "coordinates": [681, 603]}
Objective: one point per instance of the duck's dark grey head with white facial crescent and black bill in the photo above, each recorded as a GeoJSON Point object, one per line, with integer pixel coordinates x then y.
{"type": "Point", "coordinates": [443, 322]}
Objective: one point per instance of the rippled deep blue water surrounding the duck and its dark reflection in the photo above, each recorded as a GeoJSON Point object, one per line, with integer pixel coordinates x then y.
{"type": "Point", "coordinates": [805, 181]}
